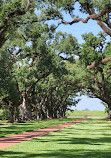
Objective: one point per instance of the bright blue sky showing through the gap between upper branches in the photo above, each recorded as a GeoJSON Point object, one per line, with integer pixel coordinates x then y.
{"type": "Point", "coordinates": [80, 28]}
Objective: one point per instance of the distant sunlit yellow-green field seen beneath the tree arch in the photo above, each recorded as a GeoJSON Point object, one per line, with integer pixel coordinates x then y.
{"type": "Point", "coordinates": [86, 113]}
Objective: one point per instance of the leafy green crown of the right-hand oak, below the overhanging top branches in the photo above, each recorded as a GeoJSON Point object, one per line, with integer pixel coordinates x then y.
{"type": "Point", "coordinates": [97, 81]}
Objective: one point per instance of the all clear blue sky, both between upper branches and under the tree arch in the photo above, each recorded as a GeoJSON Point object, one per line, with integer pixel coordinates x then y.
{"type": "Point", "coordinates": [77, 29]}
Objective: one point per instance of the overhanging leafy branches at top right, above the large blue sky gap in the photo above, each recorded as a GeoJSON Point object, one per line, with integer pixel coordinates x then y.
{"type": "Point", "coordinates": [98, 10]}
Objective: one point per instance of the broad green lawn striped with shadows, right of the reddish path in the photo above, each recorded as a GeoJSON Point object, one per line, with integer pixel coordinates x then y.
{"type": "Point", "coordinates": [88, 139]}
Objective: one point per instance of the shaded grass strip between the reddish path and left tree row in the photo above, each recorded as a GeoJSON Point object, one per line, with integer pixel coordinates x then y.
{"type": "Point", "coordinates": [16, 128]}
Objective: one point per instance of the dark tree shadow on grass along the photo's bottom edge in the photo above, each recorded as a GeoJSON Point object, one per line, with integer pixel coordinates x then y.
{"type": "Point", "coordinates": [63, 153]}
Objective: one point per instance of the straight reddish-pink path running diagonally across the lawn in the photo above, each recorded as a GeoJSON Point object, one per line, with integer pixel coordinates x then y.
{"type": "Point", "coordinates": [15, 139]}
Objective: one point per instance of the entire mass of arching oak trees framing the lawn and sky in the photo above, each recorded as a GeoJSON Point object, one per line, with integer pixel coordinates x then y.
{"type": "Point", "coordinates": [39, 72]}
